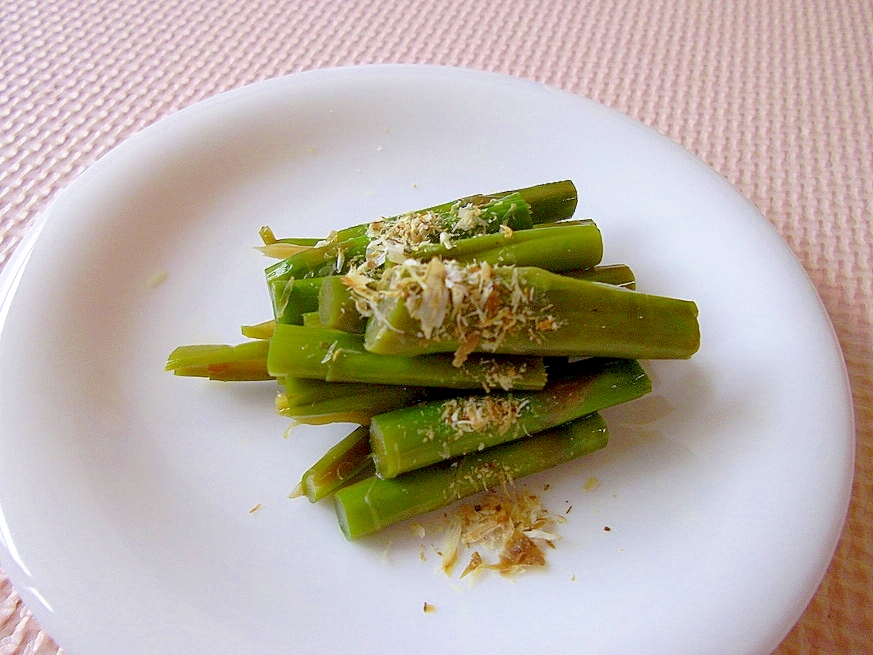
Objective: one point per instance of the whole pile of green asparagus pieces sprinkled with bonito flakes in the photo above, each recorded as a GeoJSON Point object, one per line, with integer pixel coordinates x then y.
{"type": "Point", "coordinates": [473, 342]}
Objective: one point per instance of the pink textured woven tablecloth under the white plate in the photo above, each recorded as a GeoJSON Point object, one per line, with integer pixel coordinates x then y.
{"type": "Point", "coordinates": [774, 94]}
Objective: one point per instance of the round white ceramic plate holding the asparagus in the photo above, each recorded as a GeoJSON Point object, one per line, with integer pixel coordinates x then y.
{"type": "Point", "coordinates": [125, 492]}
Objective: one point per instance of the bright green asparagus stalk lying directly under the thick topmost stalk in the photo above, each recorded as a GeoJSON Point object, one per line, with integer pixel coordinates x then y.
{"type": "Point", "coordinates": [336, 356]}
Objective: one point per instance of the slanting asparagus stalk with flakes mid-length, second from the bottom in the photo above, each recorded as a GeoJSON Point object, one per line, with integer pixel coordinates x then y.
{"type": "Point", "coordinates": [413, 437]}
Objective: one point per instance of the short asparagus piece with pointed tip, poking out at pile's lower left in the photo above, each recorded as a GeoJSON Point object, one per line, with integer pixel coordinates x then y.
{"type": "Point", "coordinates": [346, 462]}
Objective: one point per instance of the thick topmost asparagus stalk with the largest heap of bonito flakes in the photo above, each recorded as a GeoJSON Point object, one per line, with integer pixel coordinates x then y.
{"type": "Point", "coordinates": [523, 311]}
